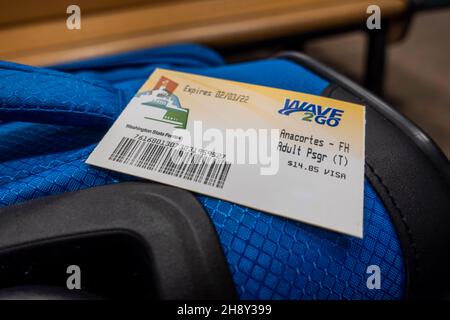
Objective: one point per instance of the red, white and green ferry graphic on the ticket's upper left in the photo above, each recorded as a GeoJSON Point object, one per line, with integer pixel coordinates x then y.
{"type": "Point", "coordinates": [169, 109]}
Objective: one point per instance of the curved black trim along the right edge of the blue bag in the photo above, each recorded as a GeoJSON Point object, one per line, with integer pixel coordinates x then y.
{"type": "Point", "coordinates": [412, 177]}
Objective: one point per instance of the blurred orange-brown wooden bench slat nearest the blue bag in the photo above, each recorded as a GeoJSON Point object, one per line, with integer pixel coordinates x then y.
{"type": "Point", "coordinates": [212, 22]}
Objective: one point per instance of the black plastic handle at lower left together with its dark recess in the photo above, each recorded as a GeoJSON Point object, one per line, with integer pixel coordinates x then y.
{"type": "Point", "coordinates": [131, 240]}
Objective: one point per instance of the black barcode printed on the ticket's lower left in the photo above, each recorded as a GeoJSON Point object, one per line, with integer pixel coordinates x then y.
{"type": "Point", "coordinates": [172, 161]}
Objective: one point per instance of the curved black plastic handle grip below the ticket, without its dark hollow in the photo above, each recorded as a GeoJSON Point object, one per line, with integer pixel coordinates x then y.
{"type": "Point", "coordinates": [178, 238]}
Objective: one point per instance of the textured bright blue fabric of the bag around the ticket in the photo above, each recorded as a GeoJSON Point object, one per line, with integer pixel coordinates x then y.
{"type": "Point", "coordinates": [52, 119]}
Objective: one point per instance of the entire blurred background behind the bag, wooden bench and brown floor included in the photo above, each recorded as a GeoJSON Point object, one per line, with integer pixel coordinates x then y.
{"type": "Point", "coordinates": [406, 61]}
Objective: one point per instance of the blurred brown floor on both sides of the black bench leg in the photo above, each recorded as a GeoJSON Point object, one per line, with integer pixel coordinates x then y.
{"type": "Point", "coordinates": [417, 78]}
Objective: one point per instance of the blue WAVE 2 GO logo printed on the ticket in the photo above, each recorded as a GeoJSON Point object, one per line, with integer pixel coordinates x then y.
{"type": "Point", "coordinates": [313, 112]}
